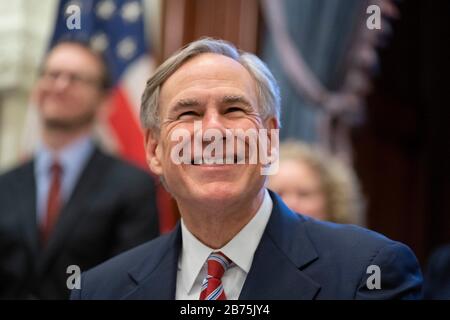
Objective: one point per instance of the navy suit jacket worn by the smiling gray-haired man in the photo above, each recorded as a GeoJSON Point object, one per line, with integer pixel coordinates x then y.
{"type": "Point", "coordinates": [297, 258]}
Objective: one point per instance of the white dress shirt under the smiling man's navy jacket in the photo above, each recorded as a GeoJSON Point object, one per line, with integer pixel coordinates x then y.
{"type": "Point", "coordinates": [192, 263]}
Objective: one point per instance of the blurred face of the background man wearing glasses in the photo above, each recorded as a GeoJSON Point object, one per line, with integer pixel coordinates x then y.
{"type": "Point", "coordinates": [68, 93]}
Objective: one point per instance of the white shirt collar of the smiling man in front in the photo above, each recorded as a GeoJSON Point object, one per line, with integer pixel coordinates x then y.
{"type": "Point", "coordinates": [240, 249]}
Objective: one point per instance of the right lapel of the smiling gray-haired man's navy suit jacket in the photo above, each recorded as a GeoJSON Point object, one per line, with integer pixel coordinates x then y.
{"type": "Point", "coordinates": [284, 251]}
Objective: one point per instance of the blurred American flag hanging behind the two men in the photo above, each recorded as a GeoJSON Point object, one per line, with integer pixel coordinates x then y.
{"type": "Point", "coordinates": [116, 28]}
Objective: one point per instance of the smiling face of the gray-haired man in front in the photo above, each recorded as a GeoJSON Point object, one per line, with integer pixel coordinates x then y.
{"type": "Point", "coordinates": [219, 93]}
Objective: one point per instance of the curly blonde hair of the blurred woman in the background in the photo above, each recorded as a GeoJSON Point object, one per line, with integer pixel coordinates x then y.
{"type": "Point", "coordinates": [338, 182]}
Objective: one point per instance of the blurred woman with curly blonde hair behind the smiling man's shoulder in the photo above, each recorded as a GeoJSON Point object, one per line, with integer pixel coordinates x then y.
{"type": "Point", "coordinates": [318, 185]}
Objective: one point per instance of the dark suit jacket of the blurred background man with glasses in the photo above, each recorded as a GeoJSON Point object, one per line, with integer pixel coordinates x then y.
{"type": "Point", "coordinates": [111, 209]}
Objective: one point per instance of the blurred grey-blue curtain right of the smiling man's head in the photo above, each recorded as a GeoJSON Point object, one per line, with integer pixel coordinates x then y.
{"type": "Point", "coordinates": [322, 32]}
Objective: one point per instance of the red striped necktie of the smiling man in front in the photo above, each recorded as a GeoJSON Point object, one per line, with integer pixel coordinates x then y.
{"type": "Point", "coordinates": [212, 288]}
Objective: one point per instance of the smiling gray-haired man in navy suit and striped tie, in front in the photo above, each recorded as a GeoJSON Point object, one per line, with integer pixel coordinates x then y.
{"type": "Point", "coordinates": [236, 239]}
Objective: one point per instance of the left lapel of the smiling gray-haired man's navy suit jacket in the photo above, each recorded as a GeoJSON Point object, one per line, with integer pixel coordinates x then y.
{"type": "Point", "coordinates": [156, 276]}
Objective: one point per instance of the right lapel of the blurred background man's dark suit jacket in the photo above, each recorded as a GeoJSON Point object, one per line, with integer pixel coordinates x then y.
{"type": "Point", "coordinates": [72, 212]}
